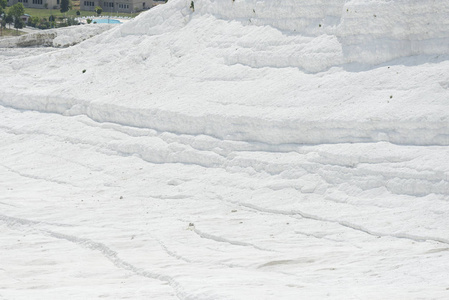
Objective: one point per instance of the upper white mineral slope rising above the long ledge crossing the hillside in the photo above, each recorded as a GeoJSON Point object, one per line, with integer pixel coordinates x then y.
{"type": "Point", "coordinates": [230, 79]}
